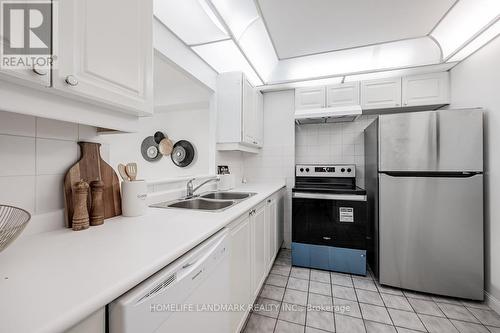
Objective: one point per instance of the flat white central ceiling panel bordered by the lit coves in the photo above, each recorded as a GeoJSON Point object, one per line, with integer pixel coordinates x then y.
{"type": "Point", "coordinates": [302, 27]}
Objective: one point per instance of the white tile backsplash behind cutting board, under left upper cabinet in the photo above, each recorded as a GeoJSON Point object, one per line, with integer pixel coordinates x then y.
{"type": "Point", "coordinates": [35, 154]}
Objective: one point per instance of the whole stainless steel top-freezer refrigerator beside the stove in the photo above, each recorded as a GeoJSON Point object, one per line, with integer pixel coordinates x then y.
{"type": "Point", "coordinates": [424, 177]}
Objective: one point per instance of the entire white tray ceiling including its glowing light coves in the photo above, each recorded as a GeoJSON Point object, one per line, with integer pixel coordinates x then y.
{"type": "Point", "coordinates": [328, 39]}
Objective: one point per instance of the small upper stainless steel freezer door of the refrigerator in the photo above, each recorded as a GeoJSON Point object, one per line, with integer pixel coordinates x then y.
{"type": "Point", "coordinates": [433, 141]}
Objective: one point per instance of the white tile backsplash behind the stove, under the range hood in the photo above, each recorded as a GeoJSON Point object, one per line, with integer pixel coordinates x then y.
{"type": "Point", "coordinates": [341, 143]}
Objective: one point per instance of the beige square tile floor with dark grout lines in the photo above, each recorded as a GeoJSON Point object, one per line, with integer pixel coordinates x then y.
{"type": "Point", "coordinates": [304, 300]}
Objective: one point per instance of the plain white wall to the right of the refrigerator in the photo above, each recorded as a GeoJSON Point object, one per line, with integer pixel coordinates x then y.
{"type": "Point", "coordinates": [476, 82]}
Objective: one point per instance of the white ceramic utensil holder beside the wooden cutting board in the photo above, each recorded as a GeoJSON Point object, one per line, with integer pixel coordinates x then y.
{"type": "Point", "coordinates": [134, 194]}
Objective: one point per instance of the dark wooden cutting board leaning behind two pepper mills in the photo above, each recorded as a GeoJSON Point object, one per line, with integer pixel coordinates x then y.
{"type": "Point", "coordinates": [92, 167]}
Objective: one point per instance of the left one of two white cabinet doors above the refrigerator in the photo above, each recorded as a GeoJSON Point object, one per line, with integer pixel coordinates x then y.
{"type": "Point", "coordinates": [381, 94]}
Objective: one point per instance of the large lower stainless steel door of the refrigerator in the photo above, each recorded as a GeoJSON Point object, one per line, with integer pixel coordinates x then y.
{"type": "Point", "coordinates": [431, 234]}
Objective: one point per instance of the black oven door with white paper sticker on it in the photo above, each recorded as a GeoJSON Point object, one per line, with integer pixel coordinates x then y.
{"type": "Point", "coordinates": [329, 219]}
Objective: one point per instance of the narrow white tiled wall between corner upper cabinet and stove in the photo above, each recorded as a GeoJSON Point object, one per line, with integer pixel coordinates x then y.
{"type": "Point", "coordinates": [277, 158]}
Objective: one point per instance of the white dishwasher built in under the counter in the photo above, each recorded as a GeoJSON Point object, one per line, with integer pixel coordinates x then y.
{"type": "Point", "coordinates": [185, 296]}
